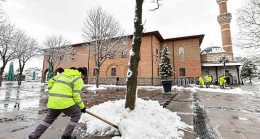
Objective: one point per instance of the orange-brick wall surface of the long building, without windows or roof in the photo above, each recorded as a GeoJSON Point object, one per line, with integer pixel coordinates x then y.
{"type": "Point", "coordinates": [148, 65]}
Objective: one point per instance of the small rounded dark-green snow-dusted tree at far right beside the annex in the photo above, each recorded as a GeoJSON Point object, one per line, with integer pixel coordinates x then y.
{"type": "Point", "coordinates": [249, 70]}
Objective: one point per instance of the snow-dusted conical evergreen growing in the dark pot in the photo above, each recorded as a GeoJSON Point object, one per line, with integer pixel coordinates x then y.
{"type": "Point", "coordinates": [165, 66]}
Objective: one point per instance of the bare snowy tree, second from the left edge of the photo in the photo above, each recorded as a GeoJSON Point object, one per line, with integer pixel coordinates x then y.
{"type": "Point", "coordinates": [26, 48]}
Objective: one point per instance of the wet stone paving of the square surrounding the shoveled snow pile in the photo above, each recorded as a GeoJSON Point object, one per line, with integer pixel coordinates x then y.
{"type": "Point", "coordinates": [213, 115]}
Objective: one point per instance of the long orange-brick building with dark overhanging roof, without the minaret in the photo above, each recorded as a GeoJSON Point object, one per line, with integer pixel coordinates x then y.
{"type": "Point", "coordinates": [184, 57]}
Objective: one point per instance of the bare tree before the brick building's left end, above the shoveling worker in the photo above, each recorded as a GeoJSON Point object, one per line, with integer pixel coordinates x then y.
{"type": "Point", "coordinates": [57, 50]}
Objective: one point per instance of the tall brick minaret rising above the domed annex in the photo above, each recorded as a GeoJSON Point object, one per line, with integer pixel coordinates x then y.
{"type": "Point", "coordinates": [224, 20]}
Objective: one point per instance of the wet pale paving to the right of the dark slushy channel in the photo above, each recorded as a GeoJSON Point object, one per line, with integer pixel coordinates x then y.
{"type": "Point", "coordinates": [232, 116]}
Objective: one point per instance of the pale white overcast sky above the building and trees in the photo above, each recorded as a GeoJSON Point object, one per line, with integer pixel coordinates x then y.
{"type": "Point", "coordinates": [175, 18]}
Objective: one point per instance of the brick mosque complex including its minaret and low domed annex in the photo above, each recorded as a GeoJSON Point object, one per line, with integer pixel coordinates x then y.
{"type": "Point", "coordinates": [186, 58]}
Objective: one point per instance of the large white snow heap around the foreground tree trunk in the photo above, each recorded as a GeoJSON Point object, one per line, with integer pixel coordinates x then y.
{"type": "Point", "coordinates": [147, 120]}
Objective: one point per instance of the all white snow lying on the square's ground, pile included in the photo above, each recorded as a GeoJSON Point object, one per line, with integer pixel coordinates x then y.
{"type": "Point", "coordinates": [148, 120]}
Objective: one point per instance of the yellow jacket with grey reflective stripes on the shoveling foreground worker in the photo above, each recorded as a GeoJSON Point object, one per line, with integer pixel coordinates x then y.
{"type": "Point", "coordinates": [64, 90]}
